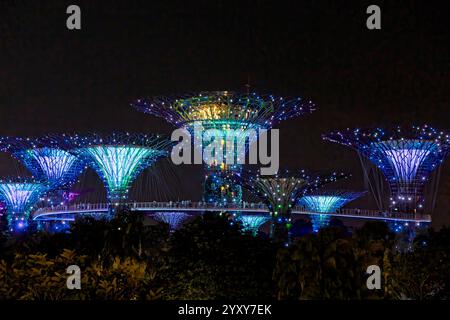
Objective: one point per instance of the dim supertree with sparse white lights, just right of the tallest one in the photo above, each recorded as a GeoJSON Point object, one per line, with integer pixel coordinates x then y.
{"type": "Point", "coordinates": [282, 191]}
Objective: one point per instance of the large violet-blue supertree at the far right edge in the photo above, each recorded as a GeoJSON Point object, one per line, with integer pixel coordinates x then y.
{"type": "Point", "coordinates": [406, 157]}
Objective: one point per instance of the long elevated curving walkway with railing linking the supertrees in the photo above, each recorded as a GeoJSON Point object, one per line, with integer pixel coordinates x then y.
{"type": "Point", "coordinates": [244, 207]}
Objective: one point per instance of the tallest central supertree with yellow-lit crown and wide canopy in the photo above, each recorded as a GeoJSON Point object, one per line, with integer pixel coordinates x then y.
{"type": "Point", "coordinates": [235, 117]}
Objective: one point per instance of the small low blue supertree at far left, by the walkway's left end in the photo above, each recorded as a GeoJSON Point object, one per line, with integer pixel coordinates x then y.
{"type": "Point", "coordinates": [20, 195]}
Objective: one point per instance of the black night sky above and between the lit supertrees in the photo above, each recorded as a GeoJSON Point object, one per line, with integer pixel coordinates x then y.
{"type": "Point", "coordinates": [55, 80]}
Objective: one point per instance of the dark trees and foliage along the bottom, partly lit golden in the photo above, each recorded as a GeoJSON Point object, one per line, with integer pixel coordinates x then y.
{"type": "Point", "coordinates": [208, 258]}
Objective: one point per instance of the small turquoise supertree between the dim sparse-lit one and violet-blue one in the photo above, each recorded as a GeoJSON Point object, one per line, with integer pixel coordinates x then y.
{"type": "Point", "coordinates": [326, 202]}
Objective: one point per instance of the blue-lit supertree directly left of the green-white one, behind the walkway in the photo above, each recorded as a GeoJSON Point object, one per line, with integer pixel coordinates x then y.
{"type": "Point", "coordinates": [47, 162]}
